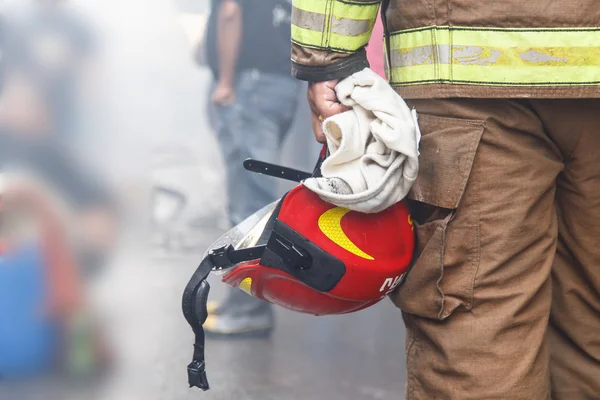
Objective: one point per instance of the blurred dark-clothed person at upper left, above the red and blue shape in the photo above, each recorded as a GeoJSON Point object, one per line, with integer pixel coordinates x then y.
{"type": "Point", "coordinates": [47, 62]}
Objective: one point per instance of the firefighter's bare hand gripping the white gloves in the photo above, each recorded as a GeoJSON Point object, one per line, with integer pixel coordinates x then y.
{"type": "Point", "coordinates": [323, 104]}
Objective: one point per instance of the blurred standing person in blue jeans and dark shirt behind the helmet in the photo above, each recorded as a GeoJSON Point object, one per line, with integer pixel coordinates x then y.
{"type": "Point", "coordinates": [255, 102]}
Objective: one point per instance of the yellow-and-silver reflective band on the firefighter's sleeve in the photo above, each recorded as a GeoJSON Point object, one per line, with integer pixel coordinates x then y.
{"type": "Point", "coordinates": [339, 25]}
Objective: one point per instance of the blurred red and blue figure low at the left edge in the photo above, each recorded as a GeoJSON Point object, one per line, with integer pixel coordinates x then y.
{"type": "Point", "coordinates": [44, 324]}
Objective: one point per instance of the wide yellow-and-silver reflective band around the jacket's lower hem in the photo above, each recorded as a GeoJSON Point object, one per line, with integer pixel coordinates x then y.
{"type": "Point", "coordinates": [491, 56]}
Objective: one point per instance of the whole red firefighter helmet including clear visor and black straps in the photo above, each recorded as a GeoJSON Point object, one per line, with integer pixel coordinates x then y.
{"type": "Point", "coordinates": [306, 255]}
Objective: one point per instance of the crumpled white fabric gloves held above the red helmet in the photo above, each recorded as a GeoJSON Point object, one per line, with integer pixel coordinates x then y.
{"type": "Point", "coordinates": [373, 147]}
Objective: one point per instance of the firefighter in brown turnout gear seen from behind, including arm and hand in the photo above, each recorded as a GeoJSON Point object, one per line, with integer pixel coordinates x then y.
{"type": "Point", "coordinates": [502, 301]}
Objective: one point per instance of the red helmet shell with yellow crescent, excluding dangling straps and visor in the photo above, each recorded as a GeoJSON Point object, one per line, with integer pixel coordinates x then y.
{"type": "Point", "coordinates": [322, 259]}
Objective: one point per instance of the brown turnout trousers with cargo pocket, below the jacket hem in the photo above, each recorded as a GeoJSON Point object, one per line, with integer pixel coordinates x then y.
{"type": "Point", "coordinates": [503, 300]}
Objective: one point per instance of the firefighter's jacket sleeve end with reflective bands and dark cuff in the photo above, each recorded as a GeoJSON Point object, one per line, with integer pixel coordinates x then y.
{"type": "Point", "coordinates": [329, 37]}
